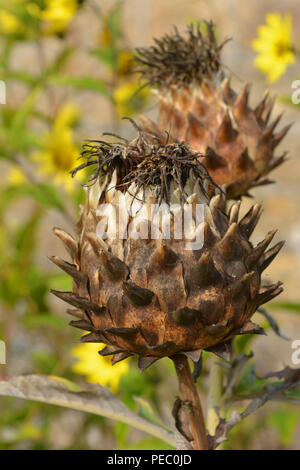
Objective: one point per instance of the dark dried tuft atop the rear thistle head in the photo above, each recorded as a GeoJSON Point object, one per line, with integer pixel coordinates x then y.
{"type": "Point", "coordinates": [177, 59]}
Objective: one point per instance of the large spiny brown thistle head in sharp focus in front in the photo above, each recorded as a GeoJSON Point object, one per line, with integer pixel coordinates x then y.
{"type": "Point", "coordinates": [154, 293]}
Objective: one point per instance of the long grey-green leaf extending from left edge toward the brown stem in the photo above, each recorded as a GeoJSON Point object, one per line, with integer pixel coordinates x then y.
{"type": "Point", "coordinates": [96, 400]}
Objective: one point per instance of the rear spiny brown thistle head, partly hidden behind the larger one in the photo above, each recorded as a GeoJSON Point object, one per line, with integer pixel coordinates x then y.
{"type": "Point", "coordinates": [198, 105]}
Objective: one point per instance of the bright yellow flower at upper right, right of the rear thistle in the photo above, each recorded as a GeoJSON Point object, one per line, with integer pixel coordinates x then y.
{"type": "Point", "coordinates": [274, 45]}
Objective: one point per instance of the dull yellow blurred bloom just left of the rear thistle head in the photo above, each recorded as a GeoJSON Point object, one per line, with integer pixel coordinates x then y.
{"type": "Point", "coordinates": [129, 98]}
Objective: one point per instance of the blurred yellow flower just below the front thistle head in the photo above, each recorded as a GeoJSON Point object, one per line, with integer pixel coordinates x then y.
{"type": "Point", "coordinates": [96, 368]}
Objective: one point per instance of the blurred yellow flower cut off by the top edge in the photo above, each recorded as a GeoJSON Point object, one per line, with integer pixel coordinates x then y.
{"type": "Point", "coordinates": [58, 14]}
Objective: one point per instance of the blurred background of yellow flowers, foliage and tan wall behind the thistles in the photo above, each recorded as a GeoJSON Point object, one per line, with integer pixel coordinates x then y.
{"type": "Point", "coordinates": [68, 70]}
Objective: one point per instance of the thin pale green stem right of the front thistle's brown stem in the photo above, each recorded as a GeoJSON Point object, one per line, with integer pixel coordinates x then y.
{"type": "Point", "coordinates": [214, 396]}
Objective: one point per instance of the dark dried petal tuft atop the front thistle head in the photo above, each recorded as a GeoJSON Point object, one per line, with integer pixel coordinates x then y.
{"type": "Point", "coordinates": [146, 161]}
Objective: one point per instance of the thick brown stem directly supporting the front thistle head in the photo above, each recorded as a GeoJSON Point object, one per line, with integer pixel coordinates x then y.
{"type": "Point", "coordinates": [189, 393]}
